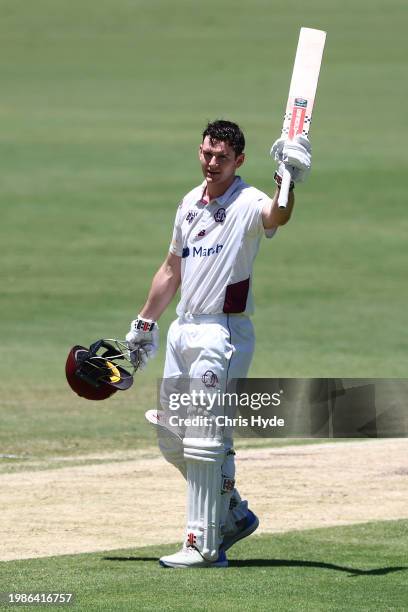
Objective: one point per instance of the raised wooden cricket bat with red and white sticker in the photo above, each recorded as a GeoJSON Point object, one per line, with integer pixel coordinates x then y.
{"type": "Point", "coordinates": [302, 91]}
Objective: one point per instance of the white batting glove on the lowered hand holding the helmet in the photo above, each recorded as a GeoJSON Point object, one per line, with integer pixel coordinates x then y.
{"type": "Point", "coordinates": [143, 340]}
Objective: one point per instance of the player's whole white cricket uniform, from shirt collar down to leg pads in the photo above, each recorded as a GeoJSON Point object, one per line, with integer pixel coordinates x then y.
{"type": "Point", "coordinates": [212, 341]}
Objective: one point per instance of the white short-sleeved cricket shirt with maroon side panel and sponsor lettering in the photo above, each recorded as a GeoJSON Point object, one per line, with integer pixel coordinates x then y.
{"type": "Point", "coordinates": [218, 243]}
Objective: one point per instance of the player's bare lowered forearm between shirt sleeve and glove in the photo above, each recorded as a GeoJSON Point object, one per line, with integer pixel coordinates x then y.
{"type": "Point", "coordinates": [165, 283]}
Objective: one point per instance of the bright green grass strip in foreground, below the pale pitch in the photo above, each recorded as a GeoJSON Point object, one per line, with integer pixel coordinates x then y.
{"type": "Point", "coordinates": [362, 567]}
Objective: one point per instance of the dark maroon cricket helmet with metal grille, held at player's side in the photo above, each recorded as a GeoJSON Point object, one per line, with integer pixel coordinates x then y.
{"type": "Point", "coordinates": [99, 371]}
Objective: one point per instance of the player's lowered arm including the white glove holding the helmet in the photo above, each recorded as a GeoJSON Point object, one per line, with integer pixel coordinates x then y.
{"type": "Point", "coordinates": [143, 337]}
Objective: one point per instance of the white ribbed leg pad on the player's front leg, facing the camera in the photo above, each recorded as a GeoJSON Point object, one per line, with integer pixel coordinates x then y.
{"type": "Point", "coordinates": [204, 458]}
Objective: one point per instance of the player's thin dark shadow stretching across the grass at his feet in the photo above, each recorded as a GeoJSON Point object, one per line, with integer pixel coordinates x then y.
{"type": "Point", "coordinates": [353, 572]}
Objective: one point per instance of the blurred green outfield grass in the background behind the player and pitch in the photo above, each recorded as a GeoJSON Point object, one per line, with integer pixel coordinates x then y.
{"type": "Point", "coordinates": [100, 116]}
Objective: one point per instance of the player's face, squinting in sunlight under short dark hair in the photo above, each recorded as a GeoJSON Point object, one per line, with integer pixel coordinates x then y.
{"type": "Point", "coordinates": [218, 161]}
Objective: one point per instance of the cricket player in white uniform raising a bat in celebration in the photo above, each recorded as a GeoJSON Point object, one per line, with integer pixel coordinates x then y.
{"type": "Point", "coordinates": [217, 233]}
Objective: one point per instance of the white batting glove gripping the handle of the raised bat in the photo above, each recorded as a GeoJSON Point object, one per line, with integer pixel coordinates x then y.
{"type": "Point", "coordinates": [295, 154]}
